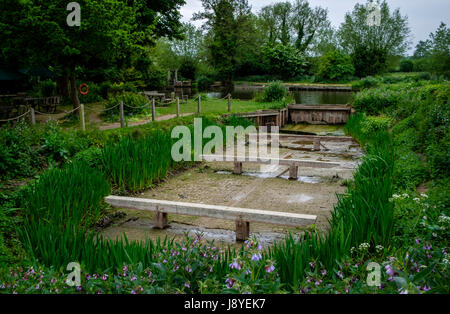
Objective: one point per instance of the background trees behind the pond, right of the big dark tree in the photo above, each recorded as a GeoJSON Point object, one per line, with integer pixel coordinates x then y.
{"type": "Point", "coordinates": [293, 40]}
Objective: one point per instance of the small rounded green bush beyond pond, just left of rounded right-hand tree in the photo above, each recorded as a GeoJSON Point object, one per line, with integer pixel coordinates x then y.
{"type": "Point", "coordinates": [335, 66]}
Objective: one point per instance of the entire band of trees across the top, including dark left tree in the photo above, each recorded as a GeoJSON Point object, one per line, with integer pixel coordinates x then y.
{"type": "Point", "coordinates": [137, 42]}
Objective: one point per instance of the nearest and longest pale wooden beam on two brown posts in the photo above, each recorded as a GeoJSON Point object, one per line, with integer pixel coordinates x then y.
{"type": "Point", "coordinates": [242, 216]}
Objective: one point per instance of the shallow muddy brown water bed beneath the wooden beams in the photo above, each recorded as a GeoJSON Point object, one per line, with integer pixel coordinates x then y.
{"type": "Point", "coordinates": [260, 187]}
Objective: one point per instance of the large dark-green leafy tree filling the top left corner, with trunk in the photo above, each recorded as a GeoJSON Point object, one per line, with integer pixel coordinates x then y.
{"type": "Point", "coordinates": [111, 31]}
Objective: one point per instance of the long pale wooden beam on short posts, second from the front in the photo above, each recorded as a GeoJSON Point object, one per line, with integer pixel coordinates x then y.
{"type": "Point", "coordinates": [293, 164]}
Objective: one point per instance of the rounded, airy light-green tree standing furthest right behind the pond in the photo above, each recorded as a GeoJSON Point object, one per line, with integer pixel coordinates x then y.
{"type": "Point", "coordinates": [370, 45]}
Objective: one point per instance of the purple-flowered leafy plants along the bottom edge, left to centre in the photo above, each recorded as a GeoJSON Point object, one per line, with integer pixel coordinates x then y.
{"type": "Point", "coordinates": [190, 266]}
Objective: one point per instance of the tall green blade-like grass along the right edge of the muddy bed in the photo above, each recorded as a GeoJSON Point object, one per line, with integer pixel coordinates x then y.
{"type": "Point", "coordinates": [363, 215]}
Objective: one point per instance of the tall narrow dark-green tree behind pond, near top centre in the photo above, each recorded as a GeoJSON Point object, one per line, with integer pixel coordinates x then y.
{"type": "Point", "coordinates": [225, 22]}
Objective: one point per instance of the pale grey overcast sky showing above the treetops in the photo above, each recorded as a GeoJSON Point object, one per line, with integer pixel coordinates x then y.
{"type": "Point", "coordinates": [424, 15]}
